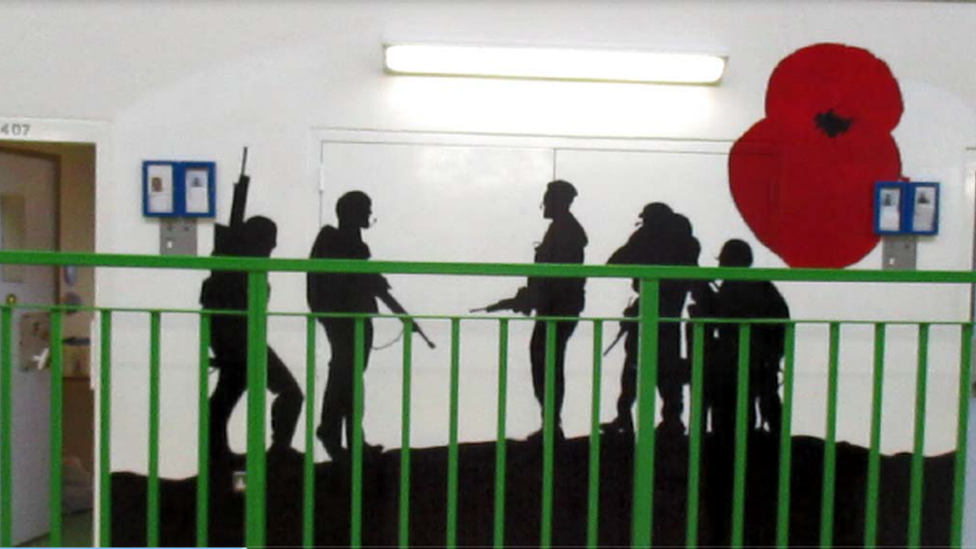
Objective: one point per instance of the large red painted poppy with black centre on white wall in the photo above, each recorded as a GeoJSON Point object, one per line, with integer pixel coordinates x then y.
{"type": "Point", "coordinates": [803, 177]}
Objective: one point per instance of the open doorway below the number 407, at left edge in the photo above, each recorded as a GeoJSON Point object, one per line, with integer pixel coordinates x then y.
{"type": "Point", "coordinates": [47, 202]}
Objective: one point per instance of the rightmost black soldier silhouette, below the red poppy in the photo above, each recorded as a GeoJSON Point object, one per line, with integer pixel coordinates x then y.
{"type": "Point", "coordinates": [744, 299]}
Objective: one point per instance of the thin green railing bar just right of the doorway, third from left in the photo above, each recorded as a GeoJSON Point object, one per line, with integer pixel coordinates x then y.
{"type": "Point", "coordinates": [105, 433]}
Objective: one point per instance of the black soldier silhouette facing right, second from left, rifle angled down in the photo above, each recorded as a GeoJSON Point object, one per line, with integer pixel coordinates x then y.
{"type": "Point", "coordinates": [346, 293]}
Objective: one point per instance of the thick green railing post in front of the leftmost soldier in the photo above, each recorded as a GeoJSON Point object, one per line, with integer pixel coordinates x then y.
{"type": "Point", "coordinates": [257, 386]}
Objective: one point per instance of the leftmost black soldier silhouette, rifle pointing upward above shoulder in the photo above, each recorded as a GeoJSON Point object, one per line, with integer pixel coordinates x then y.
{"type": "Point", "coordinates": [227, 291]}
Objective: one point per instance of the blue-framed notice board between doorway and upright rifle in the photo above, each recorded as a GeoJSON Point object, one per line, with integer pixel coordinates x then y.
{"type": "Point", "coordinates": [178, 189]}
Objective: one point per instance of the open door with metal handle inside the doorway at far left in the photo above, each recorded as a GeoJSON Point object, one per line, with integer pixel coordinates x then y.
{"type": "Point", "coordinates": [28, 221]}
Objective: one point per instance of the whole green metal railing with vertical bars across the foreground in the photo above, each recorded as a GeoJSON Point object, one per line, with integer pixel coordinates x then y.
{"type": "Point", "coordinates": [644, 460]}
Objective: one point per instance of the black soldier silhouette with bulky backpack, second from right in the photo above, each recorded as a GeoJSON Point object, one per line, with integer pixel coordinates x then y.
{"type": "Point", "coordinates": [663, 238]}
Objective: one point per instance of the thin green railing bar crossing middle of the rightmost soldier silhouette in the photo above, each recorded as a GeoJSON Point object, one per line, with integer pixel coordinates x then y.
{"type": "Point", "coordinates": [742, 428]}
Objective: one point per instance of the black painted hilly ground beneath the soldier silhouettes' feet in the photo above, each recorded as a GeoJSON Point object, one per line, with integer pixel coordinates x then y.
{"type": "Point", "coordinates": [523, 503]}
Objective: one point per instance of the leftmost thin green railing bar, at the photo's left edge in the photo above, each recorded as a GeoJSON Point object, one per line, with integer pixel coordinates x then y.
{"type": "Point", "coordinates": [6, 429]}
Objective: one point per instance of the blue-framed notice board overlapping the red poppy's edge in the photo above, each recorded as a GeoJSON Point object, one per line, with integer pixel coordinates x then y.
{"type": "Point", "coordinates": [906, 208]}
